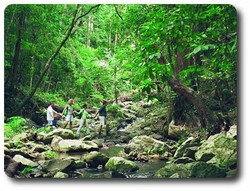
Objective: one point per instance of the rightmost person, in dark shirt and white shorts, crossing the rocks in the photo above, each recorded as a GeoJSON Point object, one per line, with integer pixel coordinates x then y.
{"type": "Point", "coordinates": [103, 117]}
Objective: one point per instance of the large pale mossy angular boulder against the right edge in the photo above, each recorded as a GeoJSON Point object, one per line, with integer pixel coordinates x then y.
{"type": "Point", "coordinates": [219, 149]}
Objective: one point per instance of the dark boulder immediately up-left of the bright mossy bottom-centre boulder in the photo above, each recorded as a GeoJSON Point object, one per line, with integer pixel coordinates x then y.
{"type": "Point", "coordinates": [94, 159]}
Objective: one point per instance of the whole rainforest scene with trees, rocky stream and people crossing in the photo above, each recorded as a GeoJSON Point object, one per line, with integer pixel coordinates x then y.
{"type": "Point", "coordinates": [166, 75]}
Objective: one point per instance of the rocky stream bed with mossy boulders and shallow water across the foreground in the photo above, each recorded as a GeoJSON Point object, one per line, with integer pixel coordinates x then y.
{"type": "Point", "coordinates": [139, 146]}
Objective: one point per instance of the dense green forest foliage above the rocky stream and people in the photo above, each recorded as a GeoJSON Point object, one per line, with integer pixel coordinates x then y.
{"type": "Point", "coordinates": [122, 50]}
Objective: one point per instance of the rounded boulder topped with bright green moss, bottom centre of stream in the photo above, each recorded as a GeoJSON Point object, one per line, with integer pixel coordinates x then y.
{"type": "Point", "coordinates": [122, 165]}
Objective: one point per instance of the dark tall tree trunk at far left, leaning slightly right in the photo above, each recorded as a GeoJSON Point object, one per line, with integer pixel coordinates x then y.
{"type": "Point", "coordinates": [15, 61]}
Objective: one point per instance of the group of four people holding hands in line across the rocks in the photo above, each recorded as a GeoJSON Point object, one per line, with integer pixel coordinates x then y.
{"type": "Point", "coordinates": [69, 112]}
